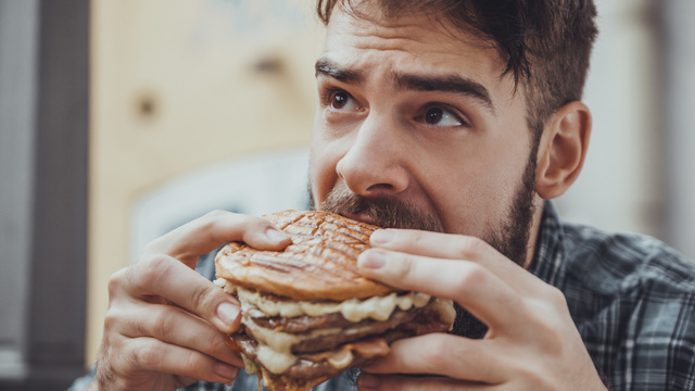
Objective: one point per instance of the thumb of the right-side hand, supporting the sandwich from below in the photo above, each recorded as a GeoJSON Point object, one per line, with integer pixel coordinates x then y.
{"type": "Point", "coordinates": [442, 354]}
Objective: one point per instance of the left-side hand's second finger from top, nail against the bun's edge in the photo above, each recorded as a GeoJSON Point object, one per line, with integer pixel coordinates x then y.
{"type": "Point", "coordinates": [165, 277]}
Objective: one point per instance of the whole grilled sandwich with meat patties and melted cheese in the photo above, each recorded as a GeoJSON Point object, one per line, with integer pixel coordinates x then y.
{"type": "Point", "coordinates": [307, 314]}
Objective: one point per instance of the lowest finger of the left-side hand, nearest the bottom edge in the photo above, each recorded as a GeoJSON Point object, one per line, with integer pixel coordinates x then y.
{"type": "Point", "coordinates": [151, 355]}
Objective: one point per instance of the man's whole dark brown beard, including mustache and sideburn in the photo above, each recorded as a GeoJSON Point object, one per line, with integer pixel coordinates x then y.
{"type": "Point", "coordinates": [510, 237]}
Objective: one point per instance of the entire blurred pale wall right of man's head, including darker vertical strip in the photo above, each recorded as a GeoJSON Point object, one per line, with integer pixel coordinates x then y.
{"type": "Point", "coordinates": [638, 175]}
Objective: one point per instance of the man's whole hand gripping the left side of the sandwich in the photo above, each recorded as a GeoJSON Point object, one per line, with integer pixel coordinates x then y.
{"type": "Point", "coordinates": [166, 325]}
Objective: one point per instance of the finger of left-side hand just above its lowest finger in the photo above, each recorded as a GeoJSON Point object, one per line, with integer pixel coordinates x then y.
{"type": "Point", "coordinates": [177, 327]}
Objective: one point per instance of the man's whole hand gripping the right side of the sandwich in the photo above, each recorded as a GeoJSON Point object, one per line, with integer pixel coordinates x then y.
{"type": "Point", "coordinates": [532, 342]}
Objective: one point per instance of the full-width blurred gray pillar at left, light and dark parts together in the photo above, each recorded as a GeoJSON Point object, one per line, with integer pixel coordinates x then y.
{"type": "Point", "coordinates": [43, 191]}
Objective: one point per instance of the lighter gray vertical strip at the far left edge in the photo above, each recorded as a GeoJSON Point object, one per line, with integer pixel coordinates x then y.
{"type": "Point", "coordinates": [18, 47]}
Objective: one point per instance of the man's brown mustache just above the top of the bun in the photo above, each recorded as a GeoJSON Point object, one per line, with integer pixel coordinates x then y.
{"type": "Point", "coordinates": [387, 212]}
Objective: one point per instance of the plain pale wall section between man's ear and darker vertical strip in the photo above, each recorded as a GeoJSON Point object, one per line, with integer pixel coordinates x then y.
{"type": "Point", "coordinates": [619, 188]}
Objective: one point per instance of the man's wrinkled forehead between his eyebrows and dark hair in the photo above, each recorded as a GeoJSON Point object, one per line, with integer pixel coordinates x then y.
{"type": "Point", "coordinates": [414, 44]}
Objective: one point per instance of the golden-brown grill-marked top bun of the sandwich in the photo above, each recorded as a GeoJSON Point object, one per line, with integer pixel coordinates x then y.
{"type": "Point", "coordinates": [320, 264]}
